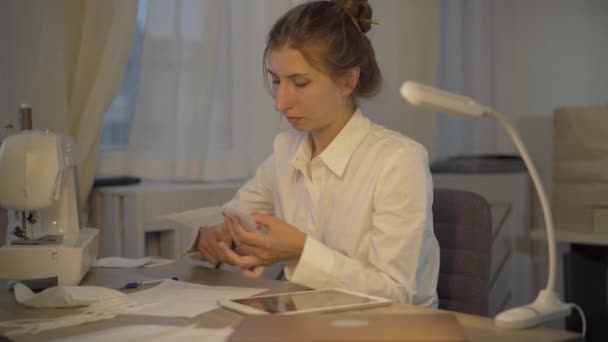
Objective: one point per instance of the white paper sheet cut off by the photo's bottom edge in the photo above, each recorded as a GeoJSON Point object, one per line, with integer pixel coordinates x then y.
{"type": "Point", "coordinates": [152, 333]}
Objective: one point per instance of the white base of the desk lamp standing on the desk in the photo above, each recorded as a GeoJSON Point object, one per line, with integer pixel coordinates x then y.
{"type": "Point", "coordinates": [547, 307]}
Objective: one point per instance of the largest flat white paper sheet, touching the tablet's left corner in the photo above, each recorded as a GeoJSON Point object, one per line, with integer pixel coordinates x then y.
{"type": "Point", "coordinates": [180, 299]}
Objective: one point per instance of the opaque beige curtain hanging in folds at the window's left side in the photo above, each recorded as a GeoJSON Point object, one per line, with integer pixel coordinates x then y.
{"type": "Point", "coordinates": [98, 38]}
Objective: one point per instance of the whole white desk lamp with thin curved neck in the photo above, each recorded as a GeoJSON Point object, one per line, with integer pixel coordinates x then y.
{"type": "Point", "coordinates": [547, 306]}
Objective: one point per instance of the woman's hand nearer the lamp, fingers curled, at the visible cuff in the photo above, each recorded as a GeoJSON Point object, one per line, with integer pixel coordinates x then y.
{"type": "Point", "coordinates": [281, 242]}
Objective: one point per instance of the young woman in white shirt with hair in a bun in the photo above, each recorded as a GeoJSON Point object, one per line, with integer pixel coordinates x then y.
{"type": "Point", "coordinates": [345, 202]}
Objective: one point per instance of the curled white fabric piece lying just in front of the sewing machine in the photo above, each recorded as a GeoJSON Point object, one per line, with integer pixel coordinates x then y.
{"type": "Point", "coordinates": [65, 296]}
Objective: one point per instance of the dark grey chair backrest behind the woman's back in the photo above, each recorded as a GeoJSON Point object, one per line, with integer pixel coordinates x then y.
{"type": "Point", "coordinates": [463, 226]}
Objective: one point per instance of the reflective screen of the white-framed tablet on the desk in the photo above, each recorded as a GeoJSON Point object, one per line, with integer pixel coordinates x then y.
{"type": "Point", "coordinates": [299, 301]}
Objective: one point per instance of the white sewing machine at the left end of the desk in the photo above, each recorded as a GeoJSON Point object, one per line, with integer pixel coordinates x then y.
{"type": "Point", "coordinates": [39, 185]}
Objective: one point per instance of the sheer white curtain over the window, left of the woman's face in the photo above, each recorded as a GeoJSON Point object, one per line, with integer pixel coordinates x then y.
{"type": "Point", "coordinates": [202, 112]}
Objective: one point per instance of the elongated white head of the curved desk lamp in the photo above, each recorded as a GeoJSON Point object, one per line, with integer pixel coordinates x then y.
{"type": "Point", "coordinates": [434, 99]}
